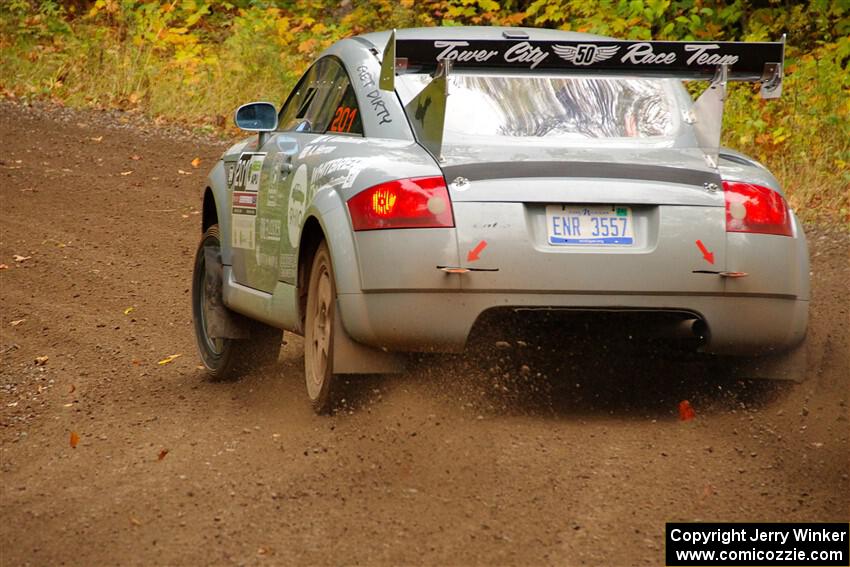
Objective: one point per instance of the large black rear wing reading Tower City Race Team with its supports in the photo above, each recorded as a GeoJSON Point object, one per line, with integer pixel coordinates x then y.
{"type": "Point", "coordinates": [717, 62]}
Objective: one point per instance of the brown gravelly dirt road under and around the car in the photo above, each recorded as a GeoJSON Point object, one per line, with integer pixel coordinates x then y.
{"type": "Point", "coordinates": [509, 456]}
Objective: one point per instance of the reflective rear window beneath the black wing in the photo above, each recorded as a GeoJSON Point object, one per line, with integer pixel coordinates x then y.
{"type": "Point", "coordinates": [552, 108]}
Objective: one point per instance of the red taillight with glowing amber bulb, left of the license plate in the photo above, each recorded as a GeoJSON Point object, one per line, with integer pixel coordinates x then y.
{"type": "Point", "coordinates": [421, 202]}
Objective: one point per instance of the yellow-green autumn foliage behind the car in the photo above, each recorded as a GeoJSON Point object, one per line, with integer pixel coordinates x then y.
{"type": "Point", "coordinates": [196, 60]}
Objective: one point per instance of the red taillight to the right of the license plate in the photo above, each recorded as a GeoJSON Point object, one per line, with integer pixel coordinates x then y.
{"type": "Point", "coordinates": [753, 208]}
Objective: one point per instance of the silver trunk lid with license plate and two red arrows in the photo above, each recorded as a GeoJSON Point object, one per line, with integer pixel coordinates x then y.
{"type": "Point", "coordinates": [601, 222]}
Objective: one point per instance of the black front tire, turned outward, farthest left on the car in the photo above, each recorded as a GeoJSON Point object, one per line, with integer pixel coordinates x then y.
{"type": "Point", "coordinates": [227, 358]}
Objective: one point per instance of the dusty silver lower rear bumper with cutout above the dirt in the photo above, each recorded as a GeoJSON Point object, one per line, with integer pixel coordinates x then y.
{"type": "Point", "coordinates": [442, 321]}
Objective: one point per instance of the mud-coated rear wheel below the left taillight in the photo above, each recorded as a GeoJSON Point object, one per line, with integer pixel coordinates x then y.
{"type": "Point", "coordinates": [322, 383]}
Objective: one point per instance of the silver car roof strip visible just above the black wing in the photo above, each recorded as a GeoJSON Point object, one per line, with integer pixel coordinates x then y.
{"type": "Point", "coordinates": [379, 39]}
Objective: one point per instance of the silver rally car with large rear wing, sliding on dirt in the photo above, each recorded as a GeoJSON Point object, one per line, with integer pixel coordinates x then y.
{"type": "Point", "coordinates": [416, 180]}
